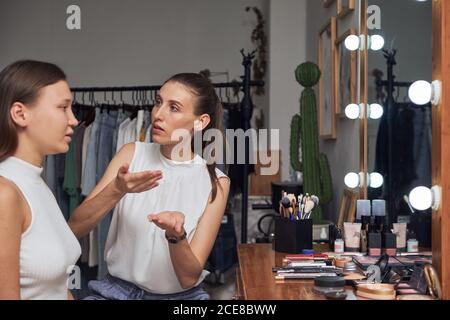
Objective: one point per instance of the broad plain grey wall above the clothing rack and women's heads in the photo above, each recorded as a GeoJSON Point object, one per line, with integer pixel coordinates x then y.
{"type": "Point", "coordinates": [133, 42]}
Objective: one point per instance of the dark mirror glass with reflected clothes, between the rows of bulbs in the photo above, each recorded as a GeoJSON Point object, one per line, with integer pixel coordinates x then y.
{"type": "Point", "coordinates": [399, 143]}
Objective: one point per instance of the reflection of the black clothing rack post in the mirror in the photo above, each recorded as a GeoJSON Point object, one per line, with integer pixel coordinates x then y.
{"type": "Point", "coordinates": [389, 108]}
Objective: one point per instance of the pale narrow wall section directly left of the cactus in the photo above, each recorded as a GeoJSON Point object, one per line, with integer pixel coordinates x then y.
{"type": "Point", "coordinates": [288, 48]}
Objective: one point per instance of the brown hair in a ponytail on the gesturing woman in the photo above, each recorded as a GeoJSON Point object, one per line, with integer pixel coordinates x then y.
{"type": "Point", "coordinates": [207, 102]}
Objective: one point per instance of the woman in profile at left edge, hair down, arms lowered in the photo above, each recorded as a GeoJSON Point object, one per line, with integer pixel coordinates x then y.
{"type": "Point", "coordinates": [38, 249]}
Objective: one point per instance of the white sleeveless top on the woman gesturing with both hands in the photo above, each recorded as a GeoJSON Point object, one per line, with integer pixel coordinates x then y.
{"type": "Point", "coordinates": [136, 249]}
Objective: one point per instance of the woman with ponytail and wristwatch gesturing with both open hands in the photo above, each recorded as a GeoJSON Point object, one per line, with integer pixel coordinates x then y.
{"type": "Point", "coordinates": [167, 210]}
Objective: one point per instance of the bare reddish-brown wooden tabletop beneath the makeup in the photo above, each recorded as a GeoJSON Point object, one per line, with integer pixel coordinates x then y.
{"type": "Point", "coordinates": [256, 281]}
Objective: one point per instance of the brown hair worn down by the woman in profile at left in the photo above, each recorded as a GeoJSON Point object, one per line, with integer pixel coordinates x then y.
{"type": "Point", "coordinates": [21, 82]}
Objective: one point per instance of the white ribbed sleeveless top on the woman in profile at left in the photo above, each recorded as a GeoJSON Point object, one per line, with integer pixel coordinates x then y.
{"type": "Point", "coordinates": [48, 248]}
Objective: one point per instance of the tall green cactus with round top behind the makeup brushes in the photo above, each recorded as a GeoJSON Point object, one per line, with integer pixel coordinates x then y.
{"type": "Point", "coordinates": [304, 127]}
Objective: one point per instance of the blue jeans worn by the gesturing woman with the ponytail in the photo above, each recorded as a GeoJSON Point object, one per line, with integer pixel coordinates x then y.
{"type": "Point", "coordinates": [112, 288]}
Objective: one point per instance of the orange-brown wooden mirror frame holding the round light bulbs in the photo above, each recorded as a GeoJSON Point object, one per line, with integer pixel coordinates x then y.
{"type": "Point", "coordinates": [441, 138]}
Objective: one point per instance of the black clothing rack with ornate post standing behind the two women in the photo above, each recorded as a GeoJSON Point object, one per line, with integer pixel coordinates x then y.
{"type": "Point", "coordinates": [247, 111]}
